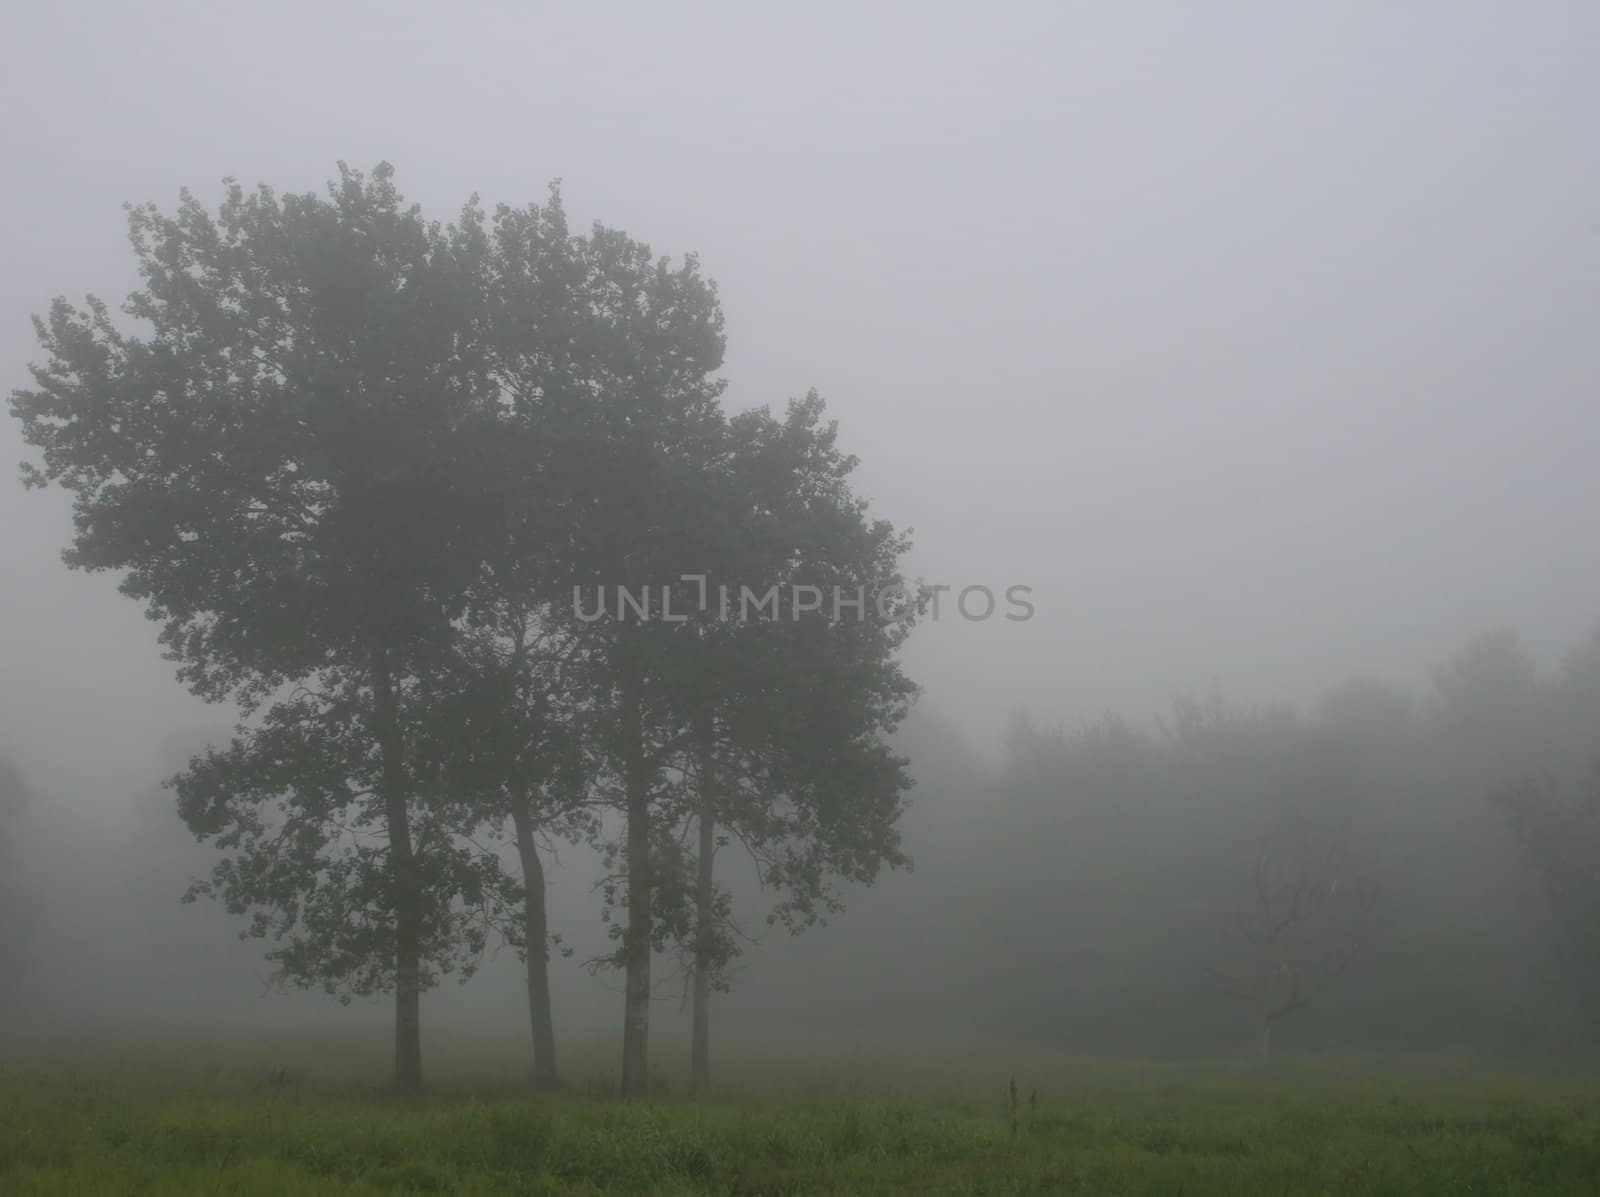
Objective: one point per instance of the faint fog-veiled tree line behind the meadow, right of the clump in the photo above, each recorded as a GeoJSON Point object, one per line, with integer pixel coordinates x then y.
{"type": "Point", "coordinates": [1382, 870]}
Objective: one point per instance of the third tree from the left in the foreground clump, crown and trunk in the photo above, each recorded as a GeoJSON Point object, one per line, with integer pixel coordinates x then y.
{"type": "Point", "coordinates": [607, 359]}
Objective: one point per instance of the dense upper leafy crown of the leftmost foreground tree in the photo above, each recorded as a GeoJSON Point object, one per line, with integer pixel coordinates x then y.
{"type": "Point", "coordinates": [282, 462]}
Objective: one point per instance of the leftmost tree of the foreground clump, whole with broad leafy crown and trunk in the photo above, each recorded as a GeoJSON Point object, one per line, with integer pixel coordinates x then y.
{"type": "Point", "coordinates": [289, 450]}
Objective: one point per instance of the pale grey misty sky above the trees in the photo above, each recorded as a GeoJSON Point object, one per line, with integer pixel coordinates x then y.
{"type": "Point", "coordinates": [1260, 340]}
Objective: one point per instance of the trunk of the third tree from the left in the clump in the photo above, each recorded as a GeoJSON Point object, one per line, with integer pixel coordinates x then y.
{"type": "Point", "coordinates": [639, 937]}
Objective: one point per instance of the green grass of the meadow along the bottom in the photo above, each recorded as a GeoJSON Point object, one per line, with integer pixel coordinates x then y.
{"type": "Point", "coordinates": [215, 1126]}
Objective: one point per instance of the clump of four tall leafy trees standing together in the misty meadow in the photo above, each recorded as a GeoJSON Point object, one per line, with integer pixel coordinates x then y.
{"type": "Point", "coordinates": [356, 465]}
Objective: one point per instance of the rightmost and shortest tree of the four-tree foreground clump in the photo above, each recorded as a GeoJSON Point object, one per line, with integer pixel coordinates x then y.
{"type": "Point", "coordinates": [791, 713]}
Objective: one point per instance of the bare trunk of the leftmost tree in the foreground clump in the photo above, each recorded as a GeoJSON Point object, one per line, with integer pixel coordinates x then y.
{"type": "Point", "coordinates": [407, 900]}
